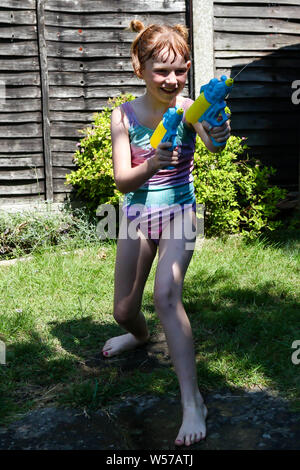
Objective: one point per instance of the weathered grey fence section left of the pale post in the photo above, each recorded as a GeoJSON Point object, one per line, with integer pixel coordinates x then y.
{"type": "Point", "coordinates": [60, 61]}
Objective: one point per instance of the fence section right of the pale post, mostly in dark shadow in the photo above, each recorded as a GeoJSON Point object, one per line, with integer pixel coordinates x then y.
{"type": "Point", "coordinates": [267, 37]}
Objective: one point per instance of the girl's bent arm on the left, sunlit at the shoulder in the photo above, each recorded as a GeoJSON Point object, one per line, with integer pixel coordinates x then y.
{"type": "Point", "coordinates": [127, 178]}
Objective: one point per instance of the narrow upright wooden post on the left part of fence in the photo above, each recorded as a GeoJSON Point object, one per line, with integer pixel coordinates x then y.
{"type": "Point", "coordinates": [40, 13]}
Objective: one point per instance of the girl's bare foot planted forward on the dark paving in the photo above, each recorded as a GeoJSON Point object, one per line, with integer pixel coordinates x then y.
{"type": "Point", "coordinates": [193, 428]}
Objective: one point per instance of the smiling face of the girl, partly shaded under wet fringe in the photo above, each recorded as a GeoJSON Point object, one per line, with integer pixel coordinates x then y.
{"type": "Point", "coordinates": [165, 79]}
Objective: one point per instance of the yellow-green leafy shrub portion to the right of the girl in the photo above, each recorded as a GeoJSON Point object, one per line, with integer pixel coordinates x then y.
{"type": "Point", "coordinates": [235, 191]}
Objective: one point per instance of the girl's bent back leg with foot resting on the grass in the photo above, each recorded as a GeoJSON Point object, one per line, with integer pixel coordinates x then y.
{"type": "Point", "coordinates": [133, 263]}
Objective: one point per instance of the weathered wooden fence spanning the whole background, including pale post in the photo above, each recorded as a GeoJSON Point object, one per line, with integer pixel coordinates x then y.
{"type": "Point", "coordinates": [62, 59]}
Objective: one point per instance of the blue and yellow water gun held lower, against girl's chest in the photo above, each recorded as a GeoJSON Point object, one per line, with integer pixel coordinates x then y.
{"type": "Point", "coordinates": [167, 129]}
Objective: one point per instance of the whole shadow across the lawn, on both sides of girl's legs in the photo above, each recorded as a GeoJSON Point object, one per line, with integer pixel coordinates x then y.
{"type": "Point", "coordinates": [242, 336]}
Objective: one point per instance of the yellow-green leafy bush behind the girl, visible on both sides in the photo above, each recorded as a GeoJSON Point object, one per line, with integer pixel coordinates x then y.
{"type": "Point", "coordinates": [234, 188]}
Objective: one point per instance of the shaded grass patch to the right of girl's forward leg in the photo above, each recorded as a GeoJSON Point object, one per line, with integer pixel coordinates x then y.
{"type": "Point", "coordinates": [243, 332]}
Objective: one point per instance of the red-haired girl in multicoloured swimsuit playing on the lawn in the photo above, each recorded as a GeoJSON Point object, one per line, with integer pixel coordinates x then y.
{"type": "Point", "coordinates": [161, 57]}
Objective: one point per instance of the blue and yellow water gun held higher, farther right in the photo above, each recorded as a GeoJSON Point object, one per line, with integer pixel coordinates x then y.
{"type": "Point", "coordinates": [210, 104]}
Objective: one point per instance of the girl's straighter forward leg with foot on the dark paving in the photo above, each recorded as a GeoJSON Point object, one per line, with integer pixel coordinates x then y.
{"type": "Point", "coordinates": [174, 258]}
